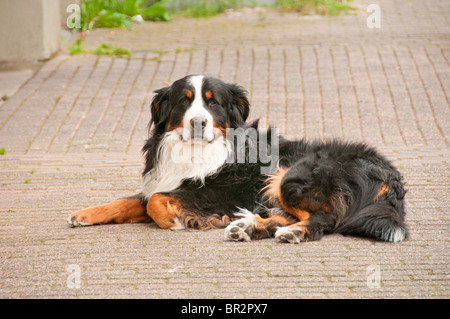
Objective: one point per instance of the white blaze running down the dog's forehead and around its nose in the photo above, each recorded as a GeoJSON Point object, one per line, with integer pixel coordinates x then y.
{"type": "Point", "coordinates": [197, 109]}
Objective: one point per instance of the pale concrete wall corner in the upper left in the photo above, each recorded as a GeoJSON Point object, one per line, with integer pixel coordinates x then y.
{"type": "Point", "coordinates": [30, 30]}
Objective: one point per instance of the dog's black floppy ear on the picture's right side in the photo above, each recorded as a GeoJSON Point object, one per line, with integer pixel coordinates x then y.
{"type": "Point", "coordinates": [239, 107]}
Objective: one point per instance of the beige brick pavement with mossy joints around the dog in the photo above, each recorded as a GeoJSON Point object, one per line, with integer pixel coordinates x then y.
{"type": "Point", "coordinates": [73, 131]}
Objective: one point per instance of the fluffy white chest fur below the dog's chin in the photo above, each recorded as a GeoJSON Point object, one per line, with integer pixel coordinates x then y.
{"type": "Point", "coordinates": [177, 161]}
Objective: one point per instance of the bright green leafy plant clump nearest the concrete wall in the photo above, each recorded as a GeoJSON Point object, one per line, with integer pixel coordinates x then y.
{"type": "Point", "coordinates": [118, 13]}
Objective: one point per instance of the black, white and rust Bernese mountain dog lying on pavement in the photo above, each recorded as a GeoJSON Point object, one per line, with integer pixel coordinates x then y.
{"type": "Point", "coordinates": [206, 168]}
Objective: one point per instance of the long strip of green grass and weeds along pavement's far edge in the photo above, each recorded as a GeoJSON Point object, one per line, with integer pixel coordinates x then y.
{"type": "Point", "coordinates": [122, 13]}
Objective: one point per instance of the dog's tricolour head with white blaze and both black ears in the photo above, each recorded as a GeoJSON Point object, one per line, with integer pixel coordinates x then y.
{"type": "Point", "coordinates": [199, 108]}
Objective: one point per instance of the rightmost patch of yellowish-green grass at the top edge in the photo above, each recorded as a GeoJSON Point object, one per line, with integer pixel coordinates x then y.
{"type": "Point", "coordinates": [323, 7]}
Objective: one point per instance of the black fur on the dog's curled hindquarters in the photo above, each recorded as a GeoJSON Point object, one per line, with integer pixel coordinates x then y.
{"type": "Point", "coordinates": [351, 173]}
